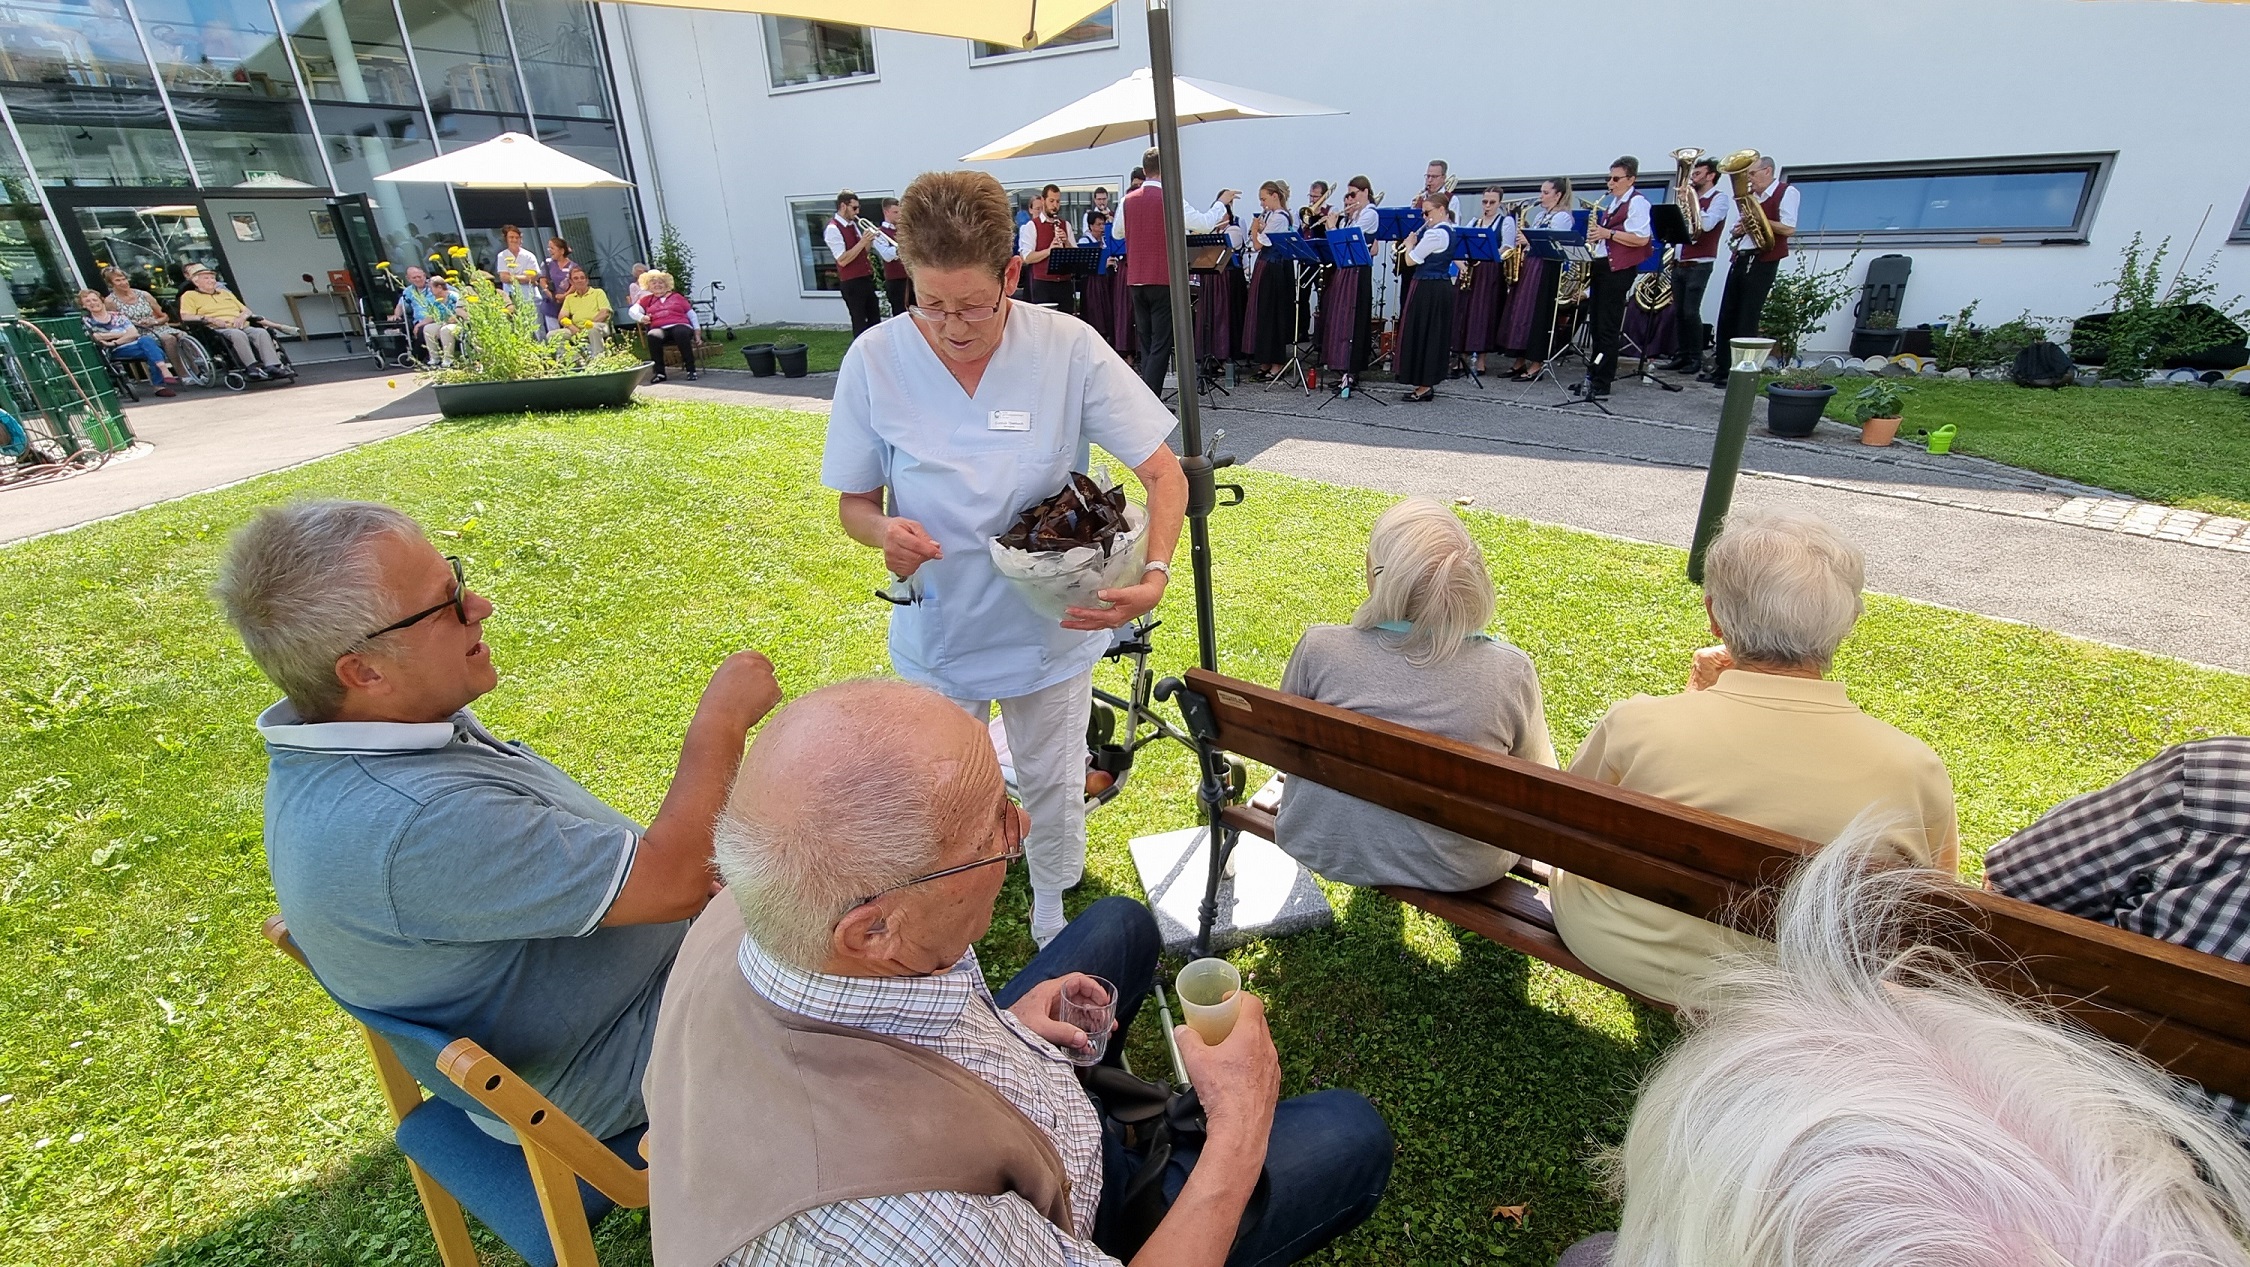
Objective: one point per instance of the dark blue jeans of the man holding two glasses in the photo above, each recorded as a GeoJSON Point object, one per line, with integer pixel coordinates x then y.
{"type": "Point", "coordinates": [1329, 1158]}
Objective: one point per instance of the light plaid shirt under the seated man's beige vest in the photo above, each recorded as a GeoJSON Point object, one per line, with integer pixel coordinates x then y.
{"type": "Point", "coordinates": [955, 1016]}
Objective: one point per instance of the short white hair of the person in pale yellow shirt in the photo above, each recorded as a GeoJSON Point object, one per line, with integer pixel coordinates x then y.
{"type": "Point", "coordinates": [1783, 588]}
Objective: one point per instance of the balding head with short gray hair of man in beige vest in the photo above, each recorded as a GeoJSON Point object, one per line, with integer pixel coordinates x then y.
{"type": "Point", "coordinates": [840, 798]}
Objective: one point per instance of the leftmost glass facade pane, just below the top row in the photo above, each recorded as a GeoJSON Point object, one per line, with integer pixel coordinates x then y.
{"type": "Point", "coordinates": [98, 138]}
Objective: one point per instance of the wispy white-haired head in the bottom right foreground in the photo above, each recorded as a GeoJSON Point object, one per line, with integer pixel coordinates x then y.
{"type": "Point", "coordinates": [1853, 1104]}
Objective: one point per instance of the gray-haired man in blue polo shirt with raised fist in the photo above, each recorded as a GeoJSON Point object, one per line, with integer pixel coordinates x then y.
{"type": "Point", "coordinates": [435, 872]}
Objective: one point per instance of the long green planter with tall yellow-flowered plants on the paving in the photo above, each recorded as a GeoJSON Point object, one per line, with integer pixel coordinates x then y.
{"type": "Point", "coordinates": [510, 366]}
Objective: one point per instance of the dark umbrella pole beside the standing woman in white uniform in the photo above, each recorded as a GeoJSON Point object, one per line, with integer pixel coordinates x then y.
{"type": "Point", "coordinates": [1200, 467]}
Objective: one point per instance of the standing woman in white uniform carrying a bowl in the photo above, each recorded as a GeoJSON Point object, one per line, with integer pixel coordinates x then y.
{"type": "Point", "coordinates": [946, 424]}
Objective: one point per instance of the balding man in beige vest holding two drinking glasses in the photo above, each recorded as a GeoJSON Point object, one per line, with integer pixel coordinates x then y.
{"type": "Point", "coordinates": [834, 1009]}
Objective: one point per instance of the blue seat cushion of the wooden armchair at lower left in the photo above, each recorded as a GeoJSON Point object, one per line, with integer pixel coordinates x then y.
{"type": "Point", "coordinates": [492, 1178]}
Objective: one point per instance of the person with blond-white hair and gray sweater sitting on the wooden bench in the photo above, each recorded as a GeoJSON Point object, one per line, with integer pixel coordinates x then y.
{"type": "Point", "coordinates": [1416, 654]}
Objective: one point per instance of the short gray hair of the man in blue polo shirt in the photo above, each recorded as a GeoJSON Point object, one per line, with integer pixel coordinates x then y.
{"type": "Point", "coordinates": [300, 586]}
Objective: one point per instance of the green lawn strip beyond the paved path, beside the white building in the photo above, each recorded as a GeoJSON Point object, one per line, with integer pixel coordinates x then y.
{"type": "Point", "coordinates": [2181, 447]}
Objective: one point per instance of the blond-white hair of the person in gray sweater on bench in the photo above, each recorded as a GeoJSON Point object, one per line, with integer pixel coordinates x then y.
{"type": "Point", "coordinates": [1425, 570]}
